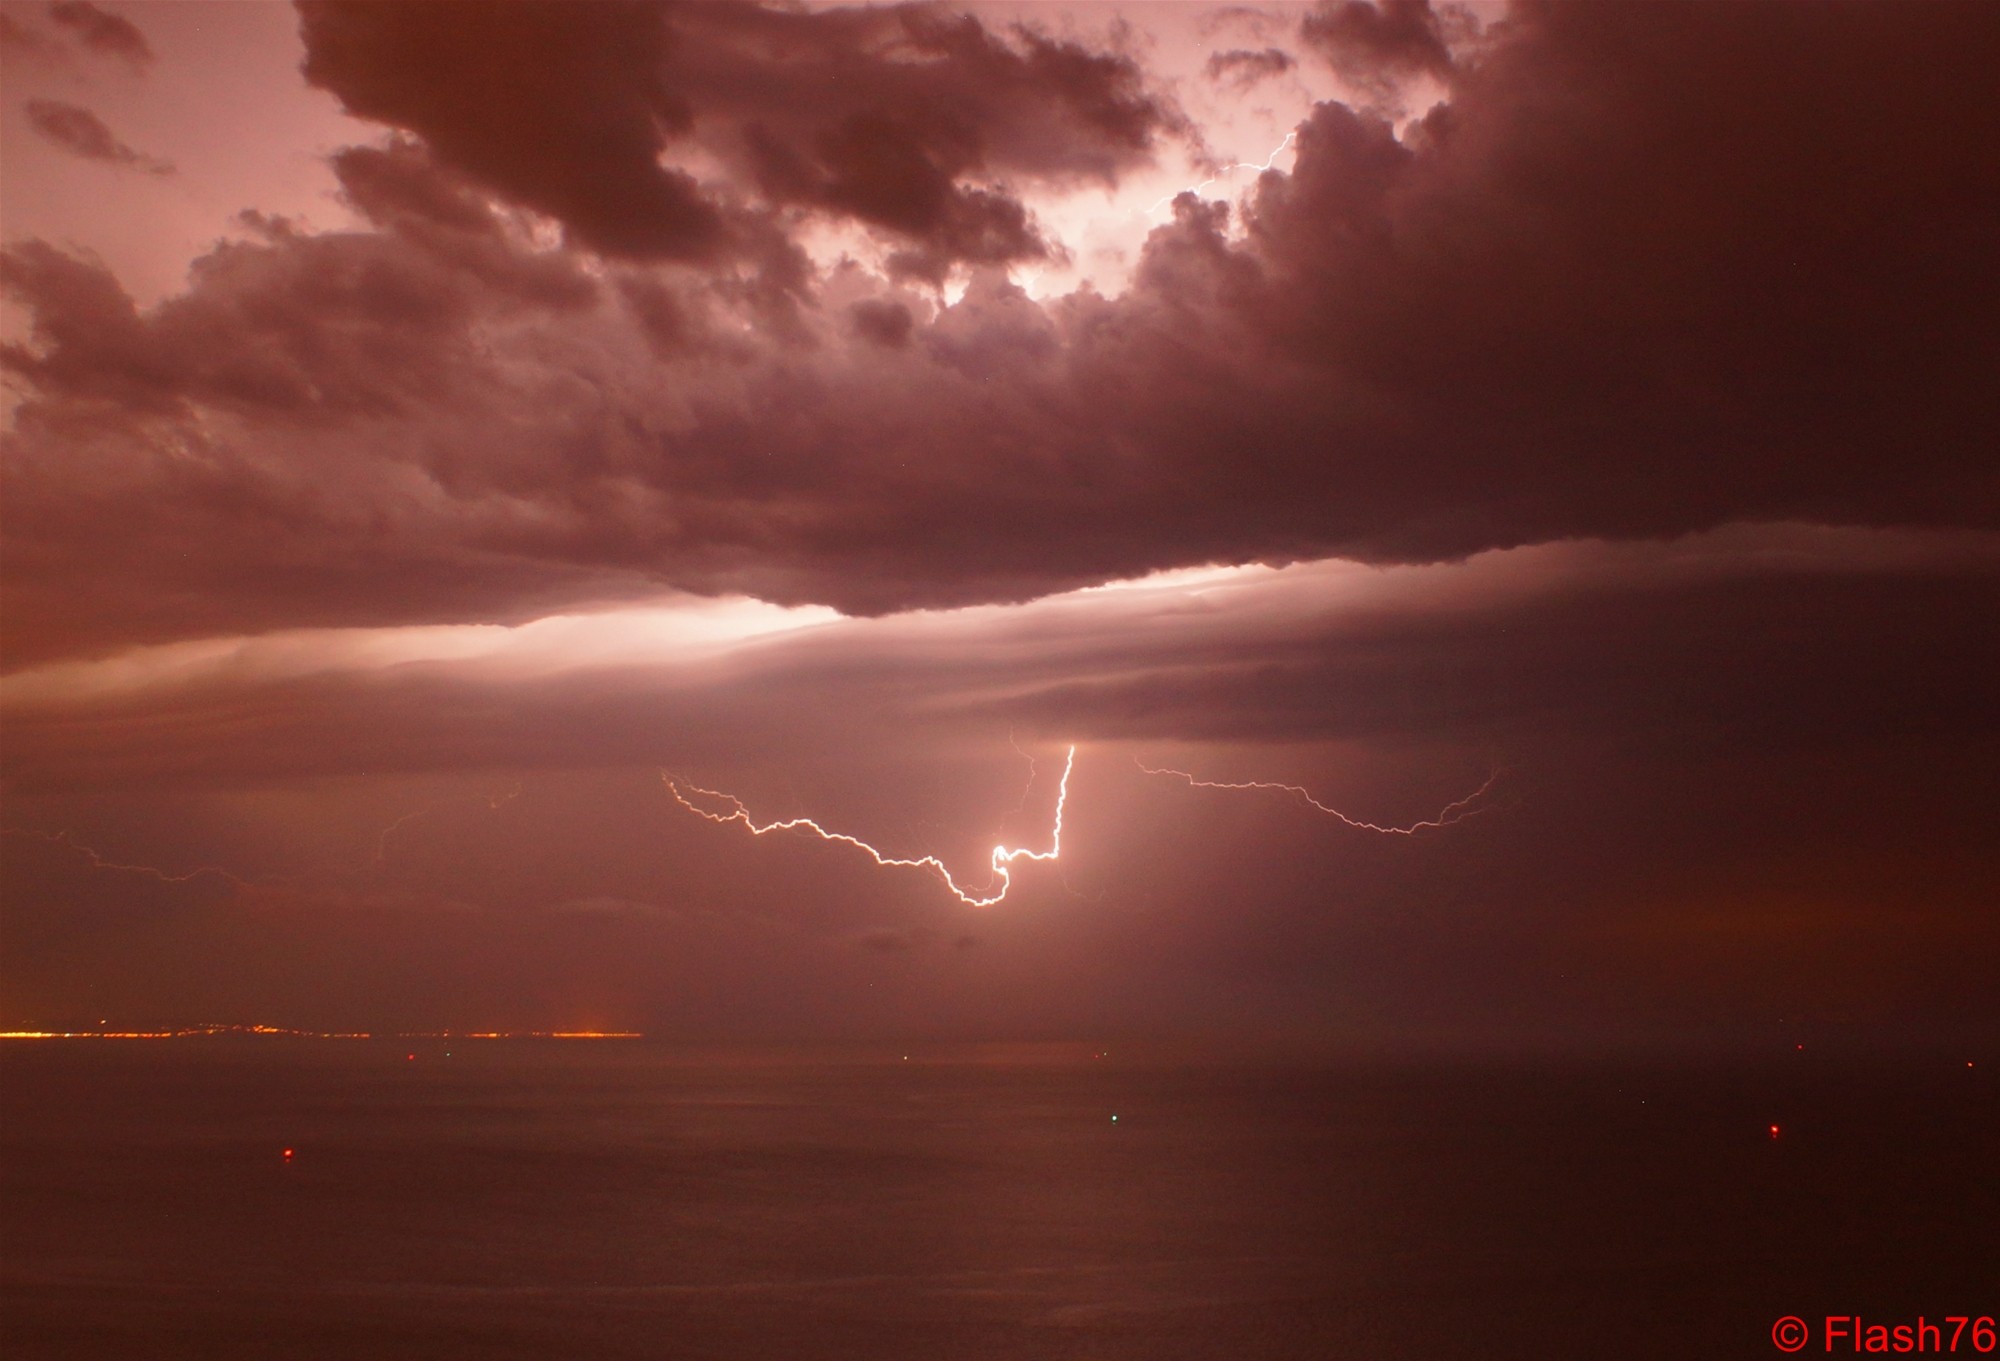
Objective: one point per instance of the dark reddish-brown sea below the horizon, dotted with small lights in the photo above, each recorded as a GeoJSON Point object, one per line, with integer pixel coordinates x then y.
{"type": "Point", "coordinates": [611, 1200]}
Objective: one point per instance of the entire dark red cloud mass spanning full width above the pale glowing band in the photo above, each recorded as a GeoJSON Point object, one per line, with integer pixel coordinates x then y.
{"type": "Point", "coordinates": [1651, 269]}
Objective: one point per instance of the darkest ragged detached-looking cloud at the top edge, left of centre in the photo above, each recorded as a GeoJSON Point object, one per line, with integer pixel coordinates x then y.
{"type": "Point", "coordinates": [875, 115]}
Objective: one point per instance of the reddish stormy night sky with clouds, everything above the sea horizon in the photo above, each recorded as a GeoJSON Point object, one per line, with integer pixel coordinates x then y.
{"type": "Point", "coordinates": [427, 433]}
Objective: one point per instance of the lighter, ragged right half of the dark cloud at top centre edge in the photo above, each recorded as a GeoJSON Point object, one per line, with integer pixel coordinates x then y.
{"type": "Point", "coordinates": [885, 115]}
